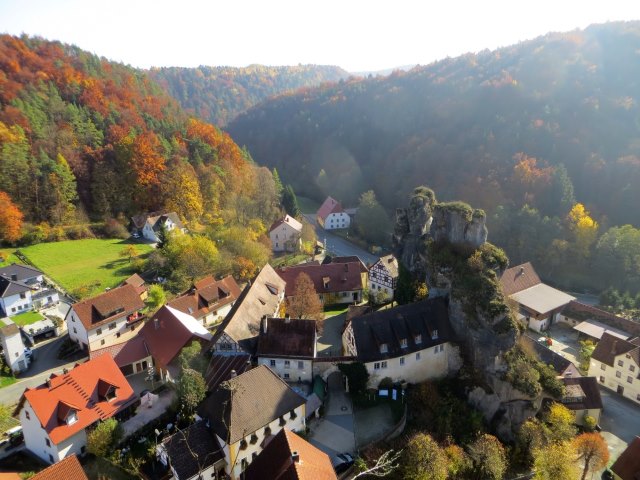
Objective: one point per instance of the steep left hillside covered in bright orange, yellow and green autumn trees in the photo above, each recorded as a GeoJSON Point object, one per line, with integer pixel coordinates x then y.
{"type": "Point", "coordinates": [83, 139]}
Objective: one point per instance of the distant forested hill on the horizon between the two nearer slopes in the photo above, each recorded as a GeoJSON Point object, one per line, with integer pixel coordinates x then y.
{"type": "Point", "coordinates": [219, 94]}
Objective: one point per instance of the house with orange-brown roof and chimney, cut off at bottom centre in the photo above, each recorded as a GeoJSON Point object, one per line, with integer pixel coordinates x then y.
{"type": "Point", "coordinates": [289, 457]}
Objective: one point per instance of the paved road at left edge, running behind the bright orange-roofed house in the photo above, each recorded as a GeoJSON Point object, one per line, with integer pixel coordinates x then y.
{"type": "Point", "coordinates": [45, 364]}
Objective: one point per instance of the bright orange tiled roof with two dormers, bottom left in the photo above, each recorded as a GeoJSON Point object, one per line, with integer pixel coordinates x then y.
{"type": "Point", "coordinates": [78, 390]}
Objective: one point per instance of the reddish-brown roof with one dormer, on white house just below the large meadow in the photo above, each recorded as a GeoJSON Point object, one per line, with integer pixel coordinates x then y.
{"type": "Point", "coordinates": [108, 306]}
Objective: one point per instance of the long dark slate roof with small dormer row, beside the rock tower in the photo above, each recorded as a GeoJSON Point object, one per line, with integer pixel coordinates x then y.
{"type": "Point", "coordinates": [390, 326]}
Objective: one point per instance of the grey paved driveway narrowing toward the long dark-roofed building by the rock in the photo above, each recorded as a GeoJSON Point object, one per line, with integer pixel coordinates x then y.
{"type": "Point", "coordinates": [334, 433]}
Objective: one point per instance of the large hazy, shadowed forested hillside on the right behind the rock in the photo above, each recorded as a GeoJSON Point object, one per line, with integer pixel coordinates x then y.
{"type": "Point", "coordinates": [526, 132]}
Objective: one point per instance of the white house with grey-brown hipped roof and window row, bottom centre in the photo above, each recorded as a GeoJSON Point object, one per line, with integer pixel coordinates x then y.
{"type": "Point", "coordinates": [247, 411]}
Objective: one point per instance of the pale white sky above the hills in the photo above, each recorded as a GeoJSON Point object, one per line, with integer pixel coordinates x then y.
{"type": "Point", "coordinates": [353, 34]}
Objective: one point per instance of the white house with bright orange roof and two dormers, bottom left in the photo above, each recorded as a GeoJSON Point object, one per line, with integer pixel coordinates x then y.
{"type": "Point", "coordinates": [56, 415]}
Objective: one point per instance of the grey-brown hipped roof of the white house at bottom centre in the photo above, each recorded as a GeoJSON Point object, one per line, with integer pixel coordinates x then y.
{"type": "Point", "coordinates": [247, 403]}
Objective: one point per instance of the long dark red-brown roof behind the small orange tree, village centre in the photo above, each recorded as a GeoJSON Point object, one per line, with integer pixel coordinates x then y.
{"type": "Point", "coordinates": [338, 277]}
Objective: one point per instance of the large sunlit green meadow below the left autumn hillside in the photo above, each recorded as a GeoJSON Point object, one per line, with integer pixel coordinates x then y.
{"type": "Point", "coordinates": [93, 263]}
